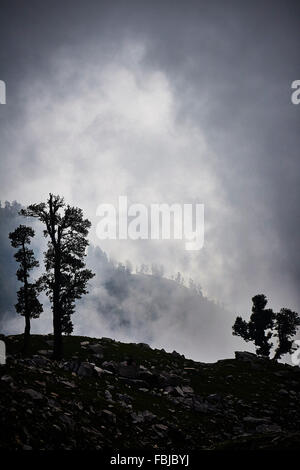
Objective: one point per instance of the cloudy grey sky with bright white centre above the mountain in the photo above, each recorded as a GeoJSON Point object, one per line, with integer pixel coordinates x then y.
{"type": "Point", "coordinates": [163, 101]}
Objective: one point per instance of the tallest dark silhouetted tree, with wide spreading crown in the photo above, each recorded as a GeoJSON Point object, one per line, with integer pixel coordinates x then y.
{"type": "Point", "coordinates": [66, 277]}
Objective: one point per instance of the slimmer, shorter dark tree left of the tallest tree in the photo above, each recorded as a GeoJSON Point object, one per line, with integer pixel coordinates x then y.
{"type": "Point", "coordinates": [28, 304]}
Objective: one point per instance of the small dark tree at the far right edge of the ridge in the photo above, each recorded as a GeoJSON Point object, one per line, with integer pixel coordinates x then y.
{"type": "Point", "coordinates": [286, 325]}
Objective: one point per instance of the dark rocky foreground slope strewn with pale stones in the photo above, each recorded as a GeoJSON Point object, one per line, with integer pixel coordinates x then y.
{"type": "Point", "coordinates": [109, 395]}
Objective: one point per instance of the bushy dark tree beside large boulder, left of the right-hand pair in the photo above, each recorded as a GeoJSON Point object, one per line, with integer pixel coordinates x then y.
{"type": "Point", "coordinates": [256, 330]}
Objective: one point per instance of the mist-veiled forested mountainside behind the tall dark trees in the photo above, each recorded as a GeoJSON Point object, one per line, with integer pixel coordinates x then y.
{"type": "Point", "coordinates": [122, 304]}
